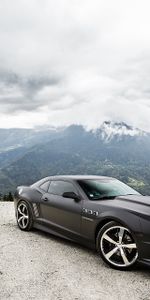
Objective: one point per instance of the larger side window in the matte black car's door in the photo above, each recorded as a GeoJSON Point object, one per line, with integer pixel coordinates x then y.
{"type": "Point", "coordinates": [60, 187]}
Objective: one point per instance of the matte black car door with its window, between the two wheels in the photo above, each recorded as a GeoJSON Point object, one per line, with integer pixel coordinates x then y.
{"type": "Point", "coordinates": [62, 213]}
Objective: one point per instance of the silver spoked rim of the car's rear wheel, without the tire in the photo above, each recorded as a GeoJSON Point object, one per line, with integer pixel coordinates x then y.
{"type": "Point", "coordinates": [22, 215]}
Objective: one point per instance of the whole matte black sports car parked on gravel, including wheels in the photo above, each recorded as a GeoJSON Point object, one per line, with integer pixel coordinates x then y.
{"type": "Point", "coordinates": [99, 212]}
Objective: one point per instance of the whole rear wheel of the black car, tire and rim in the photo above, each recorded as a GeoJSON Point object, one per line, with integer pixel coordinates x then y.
{"type": "Point", "coordinates": [24, 216]}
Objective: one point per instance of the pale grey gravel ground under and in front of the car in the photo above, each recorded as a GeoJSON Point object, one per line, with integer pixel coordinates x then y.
{"type": "Point", "coordinates": [35, 265]}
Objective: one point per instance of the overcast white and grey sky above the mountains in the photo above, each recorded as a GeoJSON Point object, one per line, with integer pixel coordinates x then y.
{"type": "Point", "coordinates": [74, 61]}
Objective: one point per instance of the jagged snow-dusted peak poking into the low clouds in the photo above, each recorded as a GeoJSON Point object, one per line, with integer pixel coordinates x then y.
{"type": "Point", "coordinates": [110, 130]}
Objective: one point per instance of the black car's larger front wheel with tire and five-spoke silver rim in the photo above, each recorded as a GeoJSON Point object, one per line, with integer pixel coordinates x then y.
{"type": "Point", "coordinates": [117, 246]}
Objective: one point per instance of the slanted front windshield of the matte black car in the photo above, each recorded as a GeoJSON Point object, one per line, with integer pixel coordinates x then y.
{"type": "Point", "coordinates": [108, 188]}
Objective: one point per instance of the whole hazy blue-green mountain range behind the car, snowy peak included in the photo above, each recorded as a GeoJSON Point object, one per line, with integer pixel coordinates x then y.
{"type": "Point", "coordinates": [113, 149]}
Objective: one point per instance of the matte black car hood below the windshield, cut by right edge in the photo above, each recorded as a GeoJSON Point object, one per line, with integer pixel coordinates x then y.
{"type": "Point", "coordinates": [138, 199]}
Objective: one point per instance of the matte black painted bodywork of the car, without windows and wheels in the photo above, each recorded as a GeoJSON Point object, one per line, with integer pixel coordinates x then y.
{"type": "Point", "coordinates": [80, 221]}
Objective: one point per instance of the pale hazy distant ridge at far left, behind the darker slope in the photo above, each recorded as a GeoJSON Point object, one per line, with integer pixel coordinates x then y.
{"type": "Point", "coordinates": [16, 142]}
